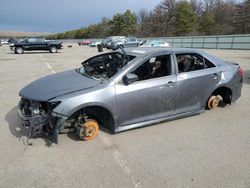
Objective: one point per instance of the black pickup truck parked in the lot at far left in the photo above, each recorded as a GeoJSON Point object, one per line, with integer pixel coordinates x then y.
{"type": "Point", "coordinates": [35, 43]}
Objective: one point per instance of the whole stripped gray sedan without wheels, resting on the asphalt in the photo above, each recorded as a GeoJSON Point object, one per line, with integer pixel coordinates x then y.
{"type": "Point", "coordinates": [127, 89]}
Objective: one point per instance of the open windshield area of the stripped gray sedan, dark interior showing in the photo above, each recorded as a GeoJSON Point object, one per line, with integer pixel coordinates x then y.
{"type": "Point", "coordinates": [103, 67]}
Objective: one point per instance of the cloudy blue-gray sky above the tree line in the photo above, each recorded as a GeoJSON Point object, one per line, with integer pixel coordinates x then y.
{"type": "Point", "coordinates": [62, 15]}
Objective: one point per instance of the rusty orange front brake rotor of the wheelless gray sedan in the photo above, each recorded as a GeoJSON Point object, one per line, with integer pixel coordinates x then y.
{"type": "Point", "coordinates": [90, 129]}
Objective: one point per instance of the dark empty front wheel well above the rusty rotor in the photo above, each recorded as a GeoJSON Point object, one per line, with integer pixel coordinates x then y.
{"type": "Point", "coordinates": [103, 116]}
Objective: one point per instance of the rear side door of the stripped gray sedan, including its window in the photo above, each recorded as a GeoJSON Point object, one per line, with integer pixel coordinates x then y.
{"type": "Point", "coordinates": [197, 78]}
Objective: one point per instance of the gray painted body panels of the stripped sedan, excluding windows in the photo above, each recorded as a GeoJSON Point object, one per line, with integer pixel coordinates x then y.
{"type": "Point", "coordinates": [142, 102]}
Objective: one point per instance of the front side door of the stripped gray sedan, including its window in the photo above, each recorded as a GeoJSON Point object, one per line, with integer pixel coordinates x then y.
{"type": "Point", "coordinates": [152, 96]}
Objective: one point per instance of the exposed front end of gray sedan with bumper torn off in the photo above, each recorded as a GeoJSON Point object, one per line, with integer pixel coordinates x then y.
{"type": "Point", "coordinates": [37, 117]}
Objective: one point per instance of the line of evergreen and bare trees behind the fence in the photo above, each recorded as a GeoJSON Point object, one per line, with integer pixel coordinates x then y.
{"type": "Point", "coordinates": [172, 18]}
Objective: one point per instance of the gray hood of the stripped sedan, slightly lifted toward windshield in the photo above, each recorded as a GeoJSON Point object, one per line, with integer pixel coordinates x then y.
{"type": "Point", "coordinates": [57, 84]}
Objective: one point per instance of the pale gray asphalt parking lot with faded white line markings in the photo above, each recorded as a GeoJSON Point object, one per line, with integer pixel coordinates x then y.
{"type": "Point", "coordinates": [207, 150]}
